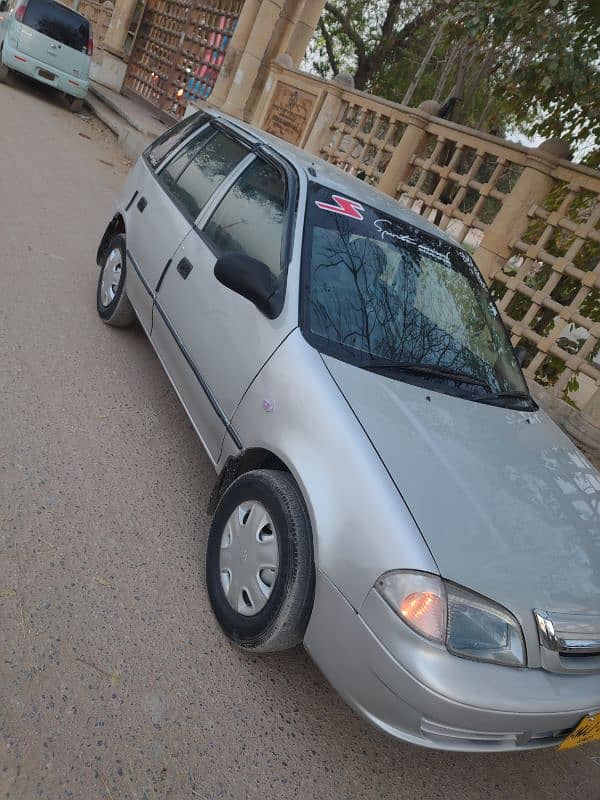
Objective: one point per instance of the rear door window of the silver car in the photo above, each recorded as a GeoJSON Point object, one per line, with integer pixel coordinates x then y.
{"type": "Point", "coordinates": [195, 172]}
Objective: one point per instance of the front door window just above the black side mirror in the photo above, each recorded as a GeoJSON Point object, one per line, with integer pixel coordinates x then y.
{"type": "Point", "coordinates": [250, 218]}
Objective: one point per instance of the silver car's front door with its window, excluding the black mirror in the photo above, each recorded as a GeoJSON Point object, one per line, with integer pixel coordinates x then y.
{"type": "Point", "coordinates": [223, 340]}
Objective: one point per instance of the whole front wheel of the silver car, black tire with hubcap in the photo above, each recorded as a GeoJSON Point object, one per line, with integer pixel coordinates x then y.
{"type": "Point", "coordinates": [281, 622]}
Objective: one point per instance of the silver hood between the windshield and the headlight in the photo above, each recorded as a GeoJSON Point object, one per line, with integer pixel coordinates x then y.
{"type": "Point", "coordinates": [508, 506]}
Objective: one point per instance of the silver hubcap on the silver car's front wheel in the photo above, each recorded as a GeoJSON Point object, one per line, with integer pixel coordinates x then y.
{"type": "Point", "coordinates": [249, 558]}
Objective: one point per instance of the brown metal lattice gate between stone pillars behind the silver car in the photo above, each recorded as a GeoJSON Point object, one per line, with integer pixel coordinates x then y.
{"type": "Point", "coordinates": [179, 50]}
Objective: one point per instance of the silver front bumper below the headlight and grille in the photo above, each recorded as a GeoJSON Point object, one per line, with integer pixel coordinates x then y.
{"type": "Point", "coordinates": [418, 692]}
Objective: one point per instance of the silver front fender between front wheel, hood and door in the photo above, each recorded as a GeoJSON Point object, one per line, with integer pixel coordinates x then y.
{"type": "Point", "coordinates": [361, 525]}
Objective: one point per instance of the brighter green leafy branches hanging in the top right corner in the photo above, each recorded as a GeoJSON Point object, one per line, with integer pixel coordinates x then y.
{"type": "Point", "coordinates": [552, 87]}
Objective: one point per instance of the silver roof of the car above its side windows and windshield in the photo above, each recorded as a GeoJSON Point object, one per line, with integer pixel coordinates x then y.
{"type": "Point", "coordinates": [335, 178]}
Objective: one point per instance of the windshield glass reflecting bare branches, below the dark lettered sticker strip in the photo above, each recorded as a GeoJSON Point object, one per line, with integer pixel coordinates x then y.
{"type": "Point", "coordinates": [397, 298]}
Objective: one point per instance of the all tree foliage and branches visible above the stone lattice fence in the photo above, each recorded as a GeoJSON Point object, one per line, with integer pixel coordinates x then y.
{"type": "Point", "coordinates": [530, 64]}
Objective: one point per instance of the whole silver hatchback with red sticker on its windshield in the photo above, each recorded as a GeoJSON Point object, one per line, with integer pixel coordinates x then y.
{"type": "Point", "coordinates": [388, 492]}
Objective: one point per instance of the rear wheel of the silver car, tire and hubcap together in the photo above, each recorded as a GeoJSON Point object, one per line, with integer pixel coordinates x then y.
{"type": "Point", "coordinates": [114, 307]}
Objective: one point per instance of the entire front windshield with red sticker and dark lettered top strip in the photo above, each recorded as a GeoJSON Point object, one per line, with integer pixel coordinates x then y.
{"type": "Point", "coordinates": [385, 295]}
